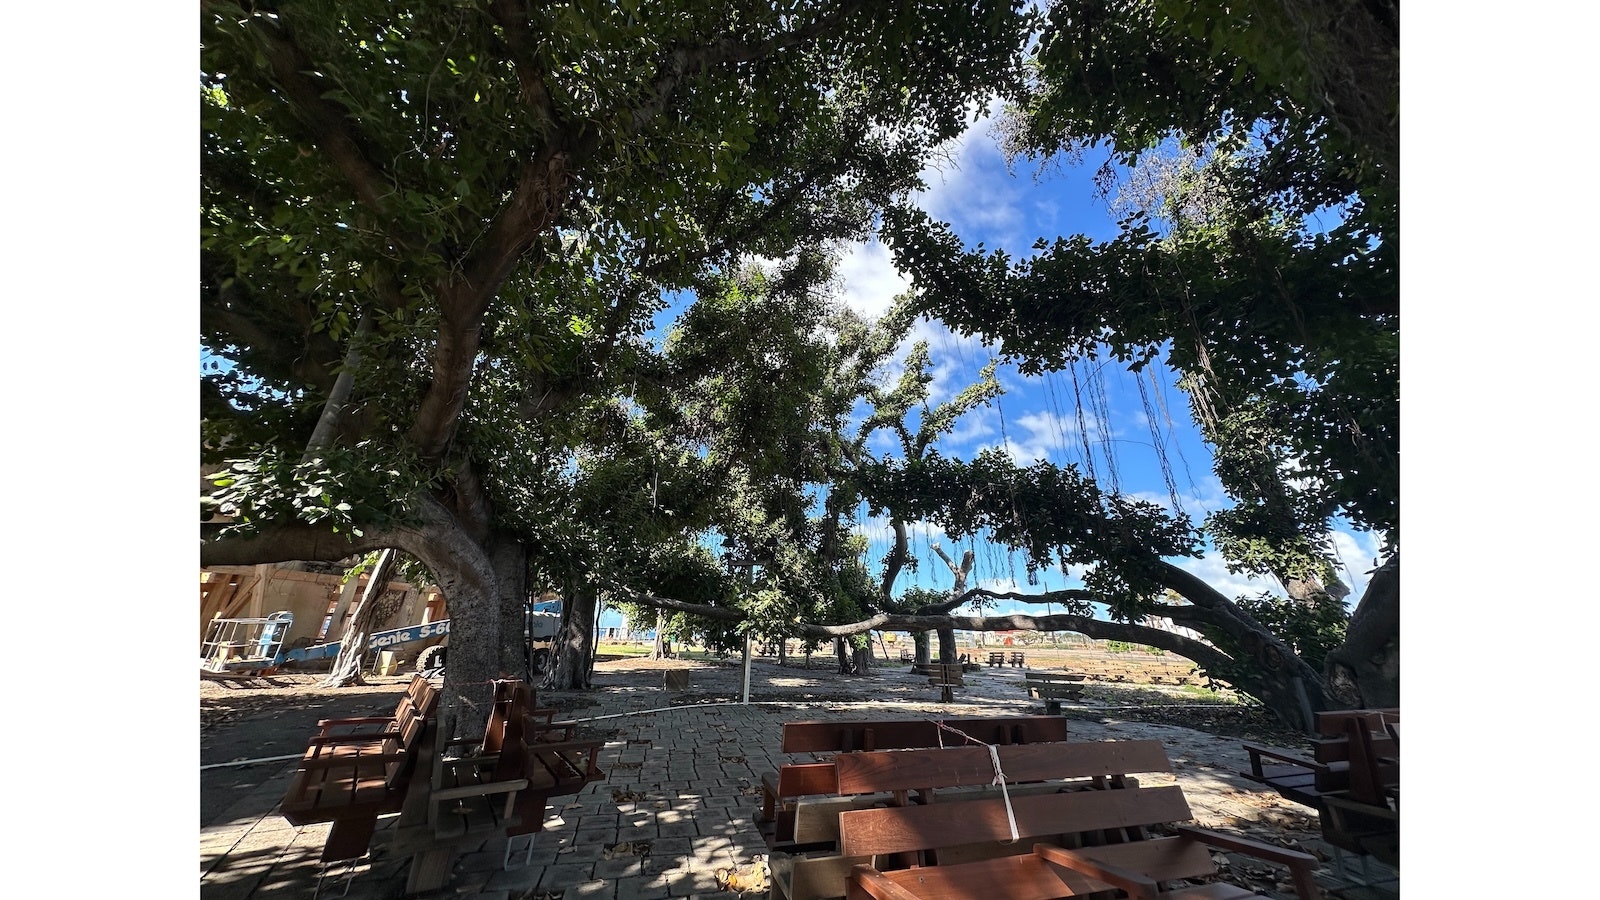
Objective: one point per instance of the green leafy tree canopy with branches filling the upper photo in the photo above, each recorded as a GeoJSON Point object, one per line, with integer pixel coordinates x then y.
{"type": "Point", "coordinates": [436, 243]}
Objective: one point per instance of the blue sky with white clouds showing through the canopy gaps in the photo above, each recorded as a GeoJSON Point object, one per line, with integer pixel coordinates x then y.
{"type": "Point", "coordinates": [985, 201]}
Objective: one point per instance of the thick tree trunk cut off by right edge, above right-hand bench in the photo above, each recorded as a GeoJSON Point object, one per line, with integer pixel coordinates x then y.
{"type": "Point", "coordinates": [1366, 670]}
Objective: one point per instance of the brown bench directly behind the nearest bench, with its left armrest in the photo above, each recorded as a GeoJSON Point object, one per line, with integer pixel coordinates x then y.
{"type": "Point", "coordinates": [775, 819]}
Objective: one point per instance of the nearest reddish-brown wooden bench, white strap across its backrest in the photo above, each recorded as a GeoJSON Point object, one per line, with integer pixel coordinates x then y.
{"type": "Point", "coordinates": [1082, 843]}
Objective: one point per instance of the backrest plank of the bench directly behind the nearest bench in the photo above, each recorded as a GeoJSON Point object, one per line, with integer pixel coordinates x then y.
{"type": "Point", "coordinates": [919, 734]}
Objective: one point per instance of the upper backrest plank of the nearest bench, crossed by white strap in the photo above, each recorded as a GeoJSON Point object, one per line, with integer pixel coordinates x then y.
{"type": "Point", "coordinates": [962, 766]}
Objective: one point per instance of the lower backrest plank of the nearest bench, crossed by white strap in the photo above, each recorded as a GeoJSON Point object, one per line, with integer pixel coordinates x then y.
{"type": "Point", "coordinates": [913, 829]}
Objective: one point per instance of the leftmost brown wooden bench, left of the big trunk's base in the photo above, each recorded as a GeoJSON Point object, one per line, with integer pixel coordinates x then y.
{"type": "Point", "coordinates": [358, 769]}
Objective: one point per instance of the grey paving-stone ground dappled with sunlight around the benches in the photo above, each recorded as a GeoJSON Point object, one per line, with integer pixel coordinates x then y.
{"type": "Point", "coordinates": [682, 782]}
